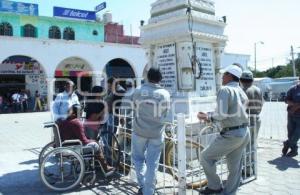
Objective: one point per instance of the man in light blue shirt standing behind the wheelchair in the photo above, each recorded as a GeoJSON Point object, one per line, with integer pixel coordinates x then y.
{"type": "Point", "coordinates": [64, 101]}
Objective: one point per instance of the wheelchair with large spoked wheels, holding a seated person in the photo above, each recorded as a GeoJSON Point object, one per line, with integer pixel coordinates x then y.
{"type": "Point", "coordinates": [65, 165]}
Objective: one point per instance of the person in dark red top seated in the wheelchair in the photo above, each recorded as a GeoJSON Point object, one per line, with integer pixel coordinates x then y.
{"type": "Point", "coordinates": [72, 128]}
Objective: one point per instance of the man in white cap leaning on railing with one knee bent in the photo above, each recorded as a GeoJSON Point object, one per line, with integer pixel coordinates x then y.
{"type": "Point", "coordinates": [233, 138]}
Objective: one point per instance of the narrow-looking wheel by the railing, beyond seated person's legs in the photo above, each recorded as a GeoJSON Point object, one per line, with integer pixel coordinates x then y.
{"type": "Point", "coordinates": [111, 148]}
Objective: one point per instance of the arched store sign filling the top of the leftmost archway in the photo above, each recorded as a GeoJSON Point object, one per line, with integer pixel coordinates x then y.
{"type": "Point", "coordinates": [20, 65]}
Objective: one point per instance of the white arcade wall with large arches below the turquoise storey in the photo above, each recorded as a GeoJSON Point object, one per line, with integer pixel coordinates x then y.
{"type": "Point", "coordinates": [56, 56]}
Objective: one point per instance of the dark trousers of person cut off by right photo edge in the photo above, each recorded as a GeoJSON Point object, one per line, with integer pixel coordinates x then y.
{"type": "Point", "coordinates": [293, 131]}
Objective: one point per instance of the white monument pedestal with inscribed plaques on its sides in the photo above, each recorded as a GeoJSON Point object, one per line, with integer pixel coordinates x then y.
{"type": "Point", "coordinates": [167, 38]}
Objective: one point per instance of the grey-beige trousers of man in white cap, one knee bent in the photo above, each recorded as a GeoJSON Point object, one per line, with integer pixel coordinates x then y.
{"type": "Point", "coordinates": [231, 144]}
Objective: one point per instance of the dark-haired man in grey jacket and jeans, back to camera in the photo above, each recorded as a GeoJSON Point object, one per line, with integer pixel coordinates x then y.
{"type": "Point", "coordinates": [152, 104]}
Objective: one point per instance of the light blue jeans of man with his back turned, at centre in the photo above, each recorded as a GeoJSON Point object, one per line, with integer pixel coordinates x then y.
{"type": "Point", "coordinates": [145, 156]}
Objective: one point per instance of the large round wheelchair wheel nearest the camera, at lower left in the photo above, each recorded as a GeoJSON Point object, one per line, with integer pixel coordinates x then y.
{"type": "Point", "coordinates": [62, 169]}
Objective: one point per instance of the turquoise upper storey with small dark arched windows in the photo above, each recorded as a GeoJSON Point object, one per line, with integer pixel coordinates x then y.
{"type": "Point", "coordinates": [52, 28]}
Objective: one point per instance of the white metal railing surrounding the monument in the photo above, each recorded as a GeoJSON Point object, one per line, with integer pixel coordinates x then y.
{"type": "Point", "coordinates": [180, 169]}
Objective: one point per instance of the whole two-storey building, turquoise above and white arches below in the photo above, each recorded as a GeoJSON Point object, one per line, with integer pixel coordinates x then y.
{"type": "Point", "coordinates": [34, 51]}
